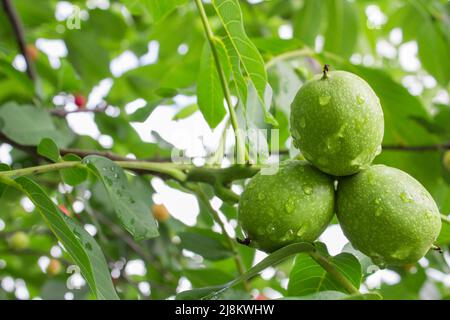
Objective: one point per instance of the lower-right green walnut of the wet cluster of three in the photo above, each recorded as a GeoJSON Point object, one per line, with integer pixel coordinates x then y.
{"type": "Point", "coordinates": [388, 215]}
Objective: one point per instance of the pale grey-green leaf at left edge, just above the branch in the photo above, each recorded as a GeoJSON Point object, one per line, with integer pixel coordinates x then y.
{"type": "Point", "coordinates": [28, 125]}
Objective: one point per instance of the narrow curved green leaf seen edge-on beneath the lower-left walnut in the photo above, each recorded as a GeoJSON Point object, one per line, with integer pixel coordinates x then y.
{"type": "Point", "coordinates": [271, 260]}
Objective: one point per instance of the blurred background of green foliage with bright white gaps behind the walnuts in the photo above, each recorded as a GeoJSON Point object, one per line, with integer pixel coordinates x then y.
{"type": "Point", "coordinates": [122, 76]}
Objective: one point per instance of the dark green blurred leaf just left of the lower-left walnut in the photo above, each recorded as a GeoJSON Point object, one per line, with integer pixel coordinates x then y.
{"type": "Point", "coordinates": [206, 243]}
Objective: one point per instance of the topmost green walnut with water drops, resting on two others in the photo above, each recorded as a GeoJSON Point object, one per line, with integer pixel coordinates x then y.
{"type": "Point", "coordinates": [337, 122]}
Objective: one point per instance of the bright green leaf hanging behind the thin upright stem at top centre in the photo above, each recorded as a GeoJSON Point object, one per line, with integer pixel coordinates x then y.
{"type": "Point", "coordinates": [209, 89]}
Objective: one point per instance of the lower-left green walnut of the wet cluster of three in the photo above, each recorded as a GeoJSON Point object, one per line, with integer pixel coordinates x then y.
{"type": "Point", "coordinates": [293, 205]}
